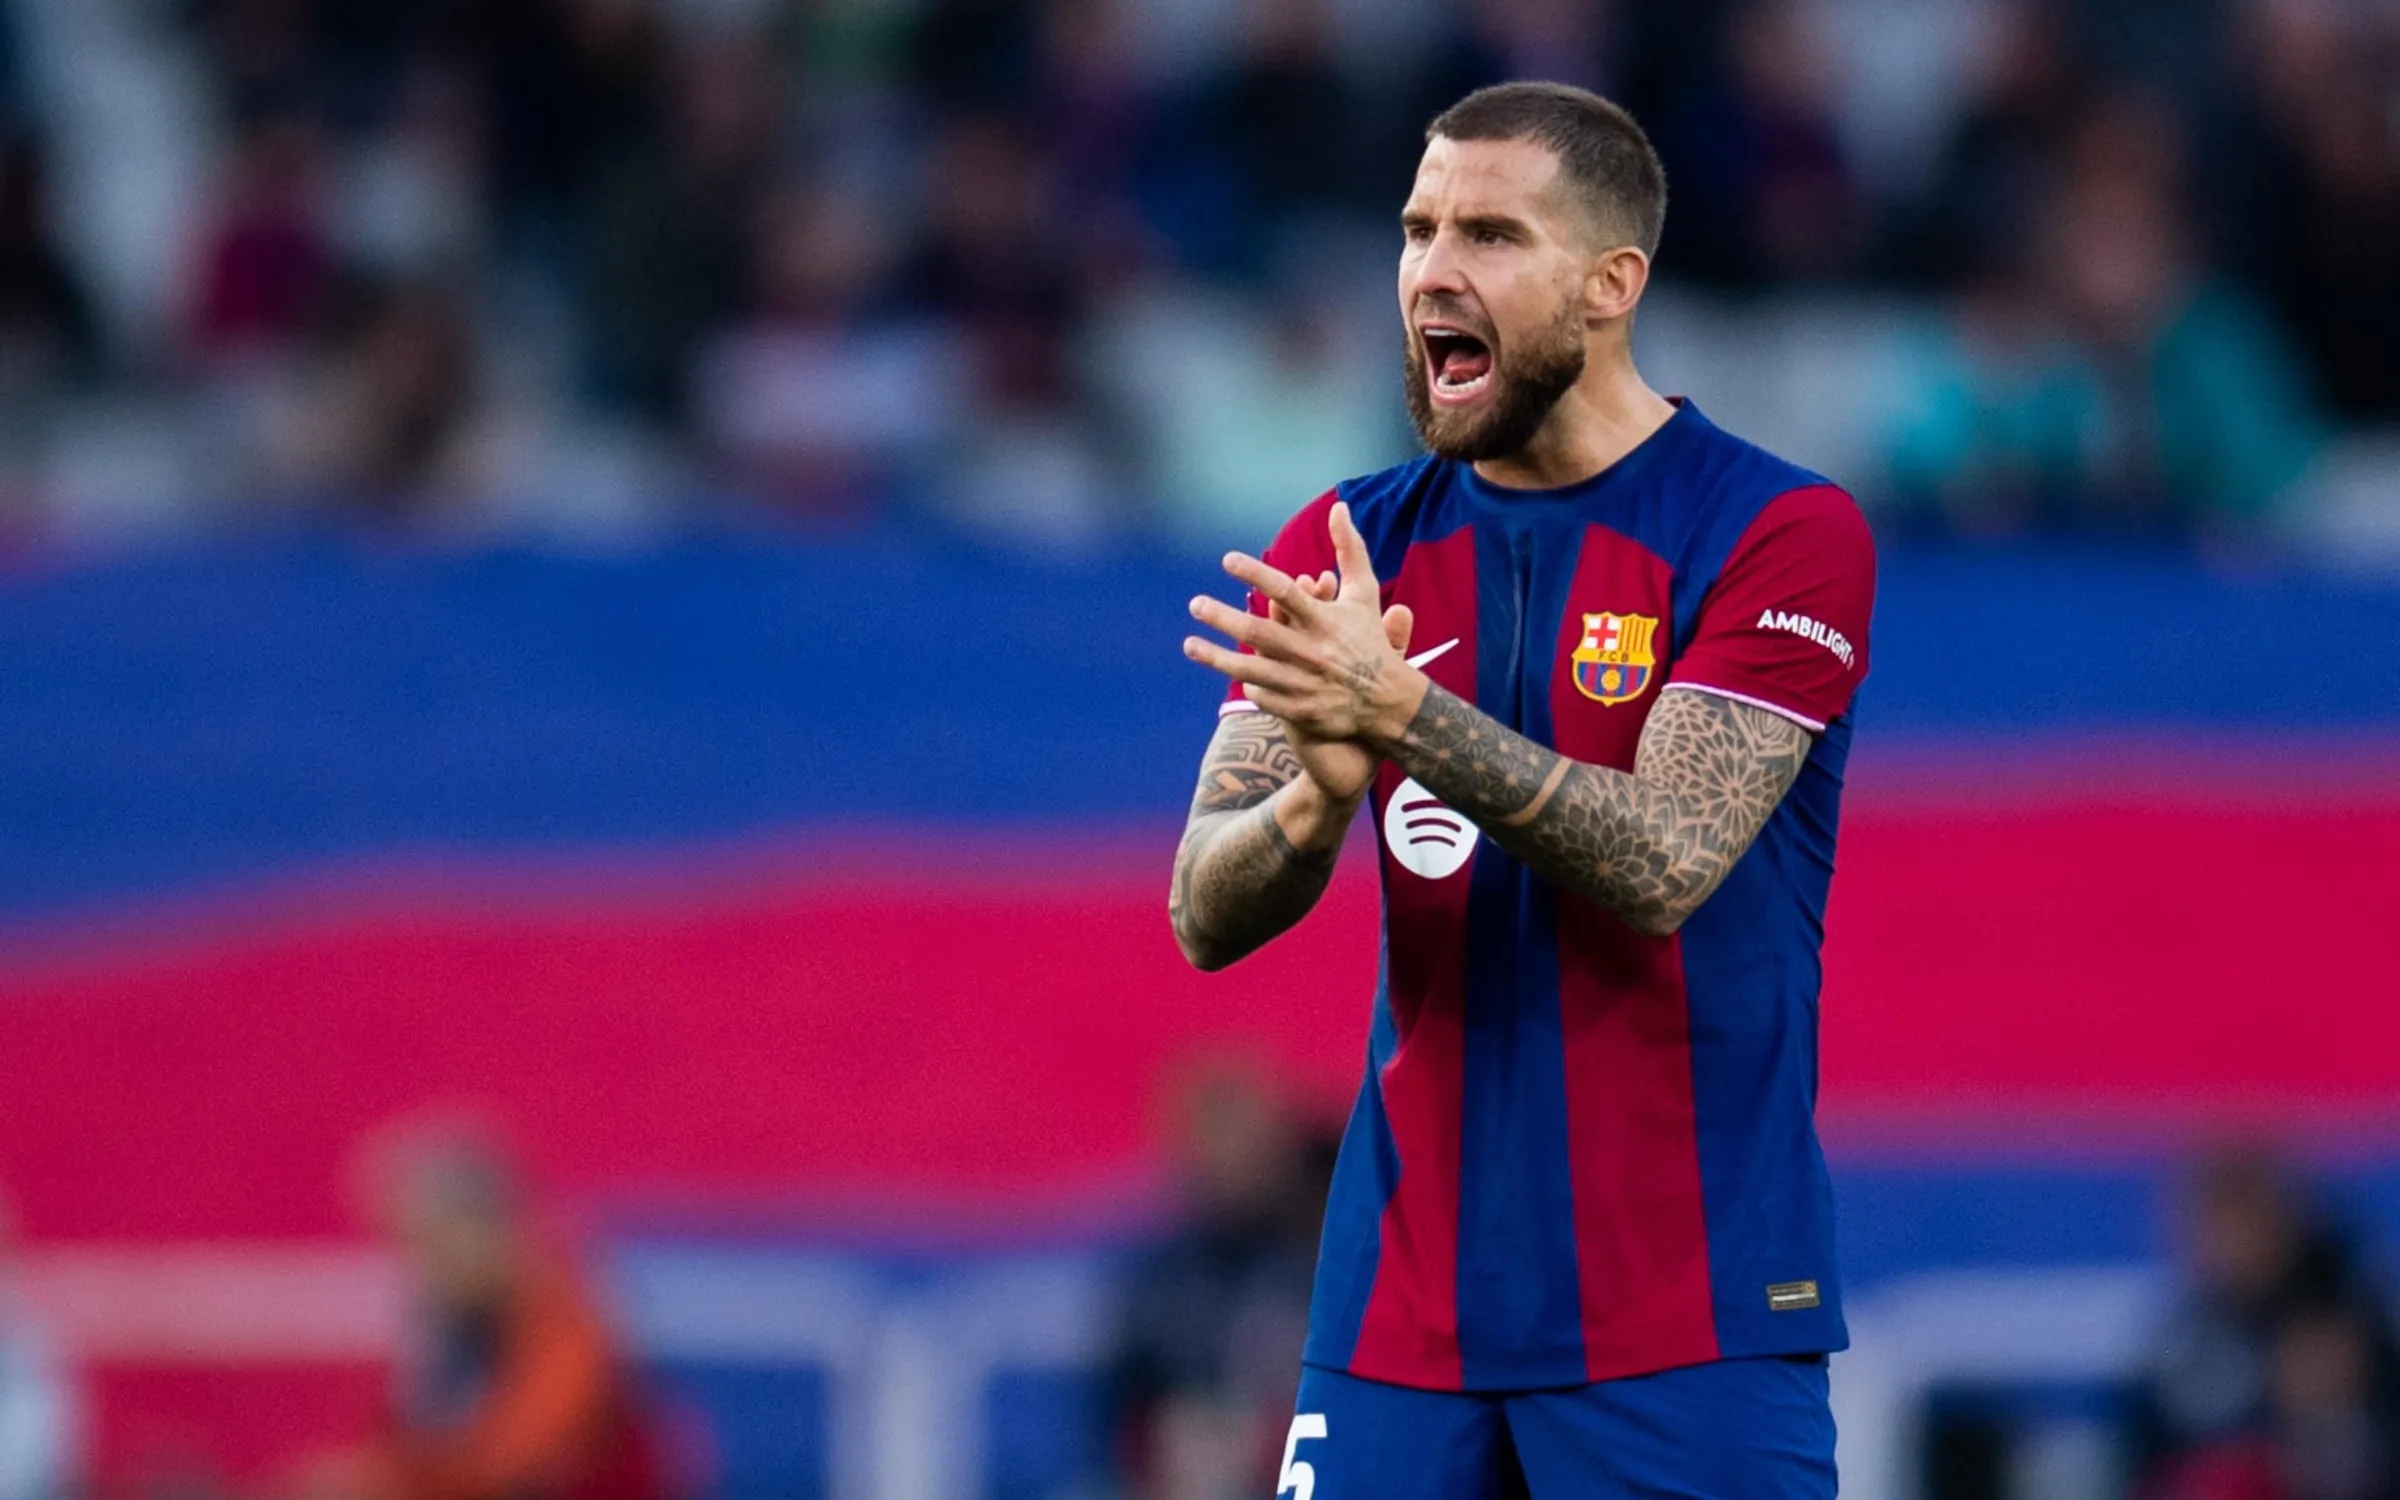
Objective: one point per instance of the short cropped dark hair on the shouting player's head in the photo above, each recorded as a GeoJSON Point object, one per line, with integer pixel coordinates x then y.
{"type": "Point", "coordinates": [1604, 157]}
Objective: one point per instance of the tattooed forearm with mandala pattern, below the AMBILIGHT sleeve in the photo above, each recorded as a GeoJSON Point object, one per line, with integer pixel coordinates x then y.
{"type": "Point", "coordinates": [1648, 846]}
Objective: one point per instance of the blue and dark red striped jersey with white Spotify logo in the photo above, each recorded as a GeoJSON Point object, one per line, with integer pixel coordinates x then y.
{"type": "Point", "coordinates": [1585, 1153]}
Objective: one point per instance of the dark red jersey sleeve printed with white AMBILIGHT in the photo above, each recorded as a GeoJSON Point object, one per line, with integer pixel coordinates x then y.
{"type": "Point", "coordinates": [1784, 628]}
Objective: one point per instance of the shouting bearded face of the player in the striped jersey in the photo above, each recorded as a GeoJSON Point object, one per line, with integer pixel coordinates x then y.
{"type": "Point", "coordinates": [1492, 275]}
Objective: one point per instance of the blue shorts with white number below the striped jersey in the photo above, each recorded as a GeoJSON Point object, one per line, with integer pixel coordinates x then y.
{"type": "Point", "coordinates": [1741, 1429]}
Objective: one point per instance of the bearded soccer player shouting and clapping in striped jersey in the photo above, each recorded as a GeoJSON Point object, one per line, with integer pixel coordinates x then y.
{"type": "Point", "coordinates": [1590, 661]}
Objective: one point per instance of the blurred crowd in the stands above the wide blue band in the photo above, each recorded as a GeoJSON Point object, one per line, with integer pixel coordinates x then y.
{"type": "Point", "coordinates": [1069, 268]}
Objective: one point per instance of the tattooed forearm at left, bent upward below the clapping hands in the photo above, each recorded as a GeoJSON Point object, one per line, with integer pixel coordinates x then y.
{"type": "Point", "coordinates": [1240, 882]}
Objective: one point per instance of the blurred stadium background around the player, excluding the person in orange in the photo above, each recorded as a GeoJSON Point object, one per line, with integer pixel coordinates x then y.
{"type": "Point", "coordinates": [611, 570]}
